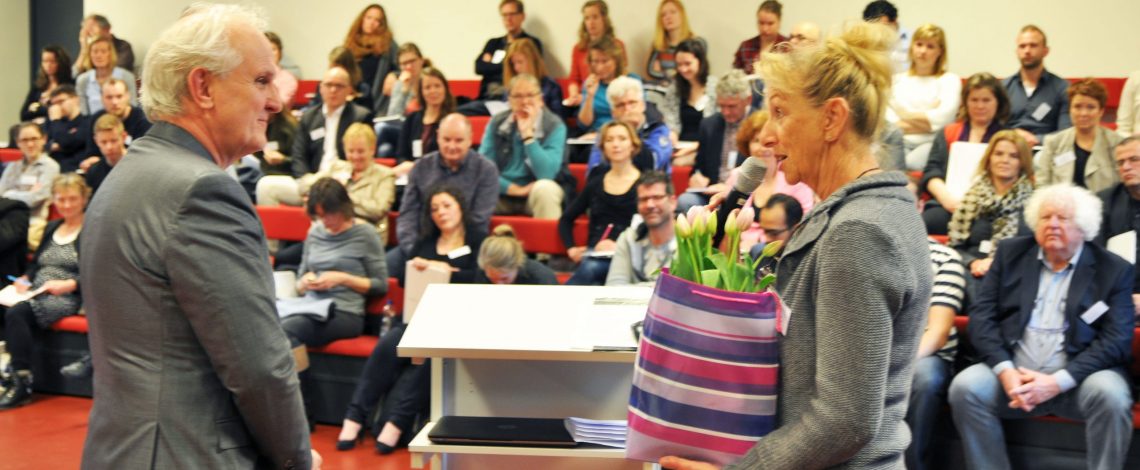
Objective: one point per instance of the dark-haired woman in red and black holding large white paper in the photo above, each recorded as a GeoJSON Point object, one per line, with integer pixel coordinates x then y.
{"type": "Point", "coordinates": [983, 112]}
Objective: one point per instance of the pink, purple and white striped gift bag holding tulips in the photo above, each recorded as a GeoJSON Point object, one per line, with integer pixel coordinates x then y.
{"type": "Point", "coordinates": [705, 383]}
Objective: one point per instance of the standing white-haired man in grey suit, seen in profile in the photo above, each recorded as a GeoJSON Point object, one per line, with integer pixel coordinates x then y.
{"type": "Point", "coordinates": [192, 368]}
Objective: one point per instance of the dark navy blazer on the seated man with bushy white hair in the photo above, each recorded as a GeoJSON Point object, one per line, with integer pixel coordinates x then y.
{"type": "Point", "coordinates": [1005, 305]}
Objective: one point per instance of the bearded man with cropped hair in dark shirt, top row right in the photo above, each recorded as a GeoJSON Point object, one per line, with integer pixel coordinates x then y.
{"type": "Point", "coordinates": [1039, 99]}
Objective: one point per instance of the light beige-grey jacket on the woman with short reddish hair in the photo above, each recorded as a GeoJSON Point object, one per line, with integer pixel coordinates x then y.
{"type": "Point", "coordinates": [1100, 173]}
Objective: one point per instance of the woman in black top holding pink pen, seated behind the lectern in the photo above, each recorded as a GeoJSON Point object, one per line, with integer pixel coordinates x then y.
{"type": "Point", "coordinates": [612, 202]}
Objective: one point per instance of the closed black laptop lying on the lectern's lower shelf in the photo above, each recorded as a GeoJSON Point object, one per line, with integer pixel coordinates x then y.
{"type": "Point", "coordinates": [502, 432]}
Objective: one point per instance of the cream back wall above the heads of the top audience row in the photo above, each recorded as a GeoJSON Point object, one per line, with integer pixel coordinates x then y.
{"type": "Point", "coordinates": [1100, 39]}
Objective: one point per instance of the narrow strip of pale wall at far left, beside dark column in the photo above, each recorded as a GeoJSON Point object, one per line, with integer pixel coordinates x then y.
{"type": "Point", "coordinates": [15, 34]}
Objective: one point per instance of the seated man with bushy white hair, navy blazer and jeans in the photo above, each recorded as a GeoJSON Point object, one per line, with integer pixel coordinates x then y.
{"type": "Point", "coordinates": [1054, 327]}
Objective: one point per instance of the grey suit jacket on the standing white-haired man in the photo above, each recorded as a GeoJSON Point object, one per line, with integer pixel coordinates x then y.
{"type": "Point", "coordinates": [192, 369]}
